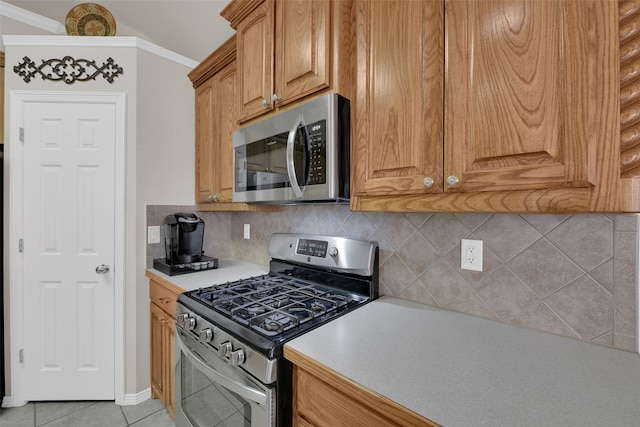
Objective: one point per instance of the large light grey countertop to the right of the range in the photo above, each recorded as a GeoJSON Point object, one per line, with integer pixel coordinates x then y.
{"type": "Point", "coordinates": [460, 370]}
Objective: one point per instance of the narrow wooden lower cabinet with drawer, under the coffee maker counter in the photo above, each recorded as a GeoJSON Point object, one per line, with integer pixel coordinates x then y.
{"type": "Point", "coordinates": [163, 296]}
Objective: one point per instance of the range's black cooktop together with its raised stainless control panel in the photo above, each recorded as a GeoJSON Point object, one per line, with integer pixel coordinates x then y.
{"type": "Point", "coordinates": [313, 280]}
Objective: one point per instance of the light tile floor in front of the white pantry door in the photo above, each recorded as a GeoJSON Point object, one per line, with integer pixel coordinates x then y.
{"type": "Point", "coordinates": [150, 413]}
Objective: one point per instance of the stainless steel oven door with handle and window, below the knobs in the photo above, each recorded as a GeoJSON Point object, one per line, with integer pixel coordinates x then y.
{"type": "Point", "coordinates": [210, 392]}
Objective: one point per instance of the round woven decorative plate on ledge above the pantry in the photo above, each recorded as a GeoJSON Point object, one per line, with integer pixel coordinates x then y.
{"type": "Point", "coordinates": [90, 19]}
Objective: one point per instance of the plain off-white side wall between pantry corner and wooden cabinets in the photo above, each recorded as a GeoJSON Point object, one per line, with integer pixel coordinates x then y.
{"type": "Point", "coordinates": [165, 167]}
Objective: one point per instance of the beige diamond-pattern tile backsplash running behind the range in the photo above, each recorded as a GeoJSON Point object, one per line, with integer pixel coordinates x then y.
{"type": "Point", "coordinates": [573, 275]}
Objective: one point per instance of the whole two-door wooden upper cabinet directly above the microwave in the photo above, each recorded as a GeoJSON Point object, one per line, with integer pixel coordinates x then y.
{"type": "Point", "coordinates": [289, 49]}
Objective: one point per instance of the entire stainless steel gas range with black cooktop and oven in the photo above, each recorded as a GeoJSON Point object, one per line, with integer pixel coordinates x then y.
{"type": "Point", "coordinates": [230, 337]}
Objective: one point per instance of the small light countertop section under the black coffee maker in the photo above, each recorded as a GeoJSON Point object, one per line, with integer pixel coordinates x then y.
{"type": "Point", "coordinates": [228, 270]}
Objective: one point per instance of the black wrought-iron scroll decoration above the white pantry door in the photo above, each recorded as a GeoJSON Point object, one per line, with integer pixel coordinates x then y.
{"type": "Point", "coordinates": [67, 69]}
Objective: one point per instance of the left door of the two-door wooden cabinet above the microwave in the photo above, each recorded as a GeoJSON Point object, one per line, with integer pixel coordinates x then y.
{"type": "Point", "coordinates": [254, 36]}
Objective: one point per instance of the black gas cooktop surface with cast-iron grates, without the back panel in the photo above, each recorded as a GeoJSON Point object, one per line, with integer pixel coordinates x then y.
{"type": "Point", "coordinates": [266, 311]}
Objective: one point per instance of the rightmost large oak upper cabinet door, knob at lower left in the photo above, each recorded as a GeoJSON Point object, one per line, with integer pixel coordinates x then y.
{"type": "Point", "coordinates": [518, 95]}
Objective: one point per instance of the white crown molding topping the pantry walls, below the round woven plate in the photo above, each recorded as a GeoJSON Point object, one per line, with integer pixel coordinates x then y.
{"type": "Point", "coordinates": [91, 41]}
